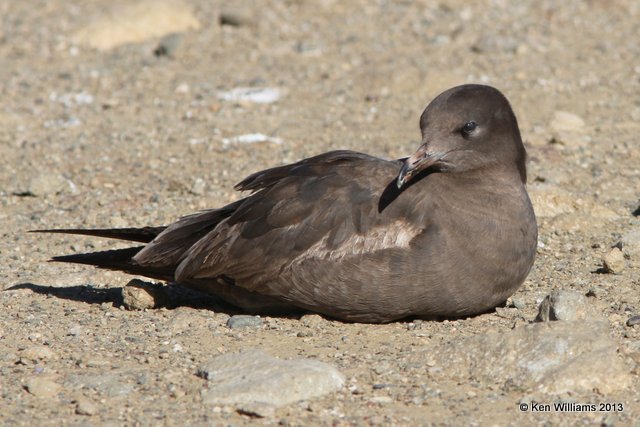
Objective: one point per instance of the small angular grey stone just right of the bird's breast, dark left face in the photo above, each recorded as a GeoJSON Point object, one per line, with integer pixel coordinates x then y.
{"type": "Point", "coordinates": [568, 306]}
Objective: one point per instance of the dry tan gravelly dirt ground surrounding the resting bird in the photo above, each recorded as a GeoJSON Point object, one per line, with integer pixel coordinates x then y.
{"type": "Point", "coordinates": [128, 113]}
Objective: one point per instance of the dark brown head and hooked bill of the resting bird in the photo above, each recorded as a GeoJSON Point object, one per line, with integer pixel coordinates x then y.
{"type": "Point", "coordinates": [466, 128]}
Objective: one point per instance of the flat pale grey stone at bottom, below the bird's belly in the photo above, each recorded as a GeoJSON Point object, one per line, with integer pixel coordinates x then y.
{"type": "Point", "coordinates": [252, 376]}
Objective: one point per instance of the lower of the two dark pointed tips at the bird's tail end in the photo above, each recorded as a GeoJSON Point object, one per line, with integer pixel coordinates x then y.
{"type": "Point", "coordinates": [119, 260]}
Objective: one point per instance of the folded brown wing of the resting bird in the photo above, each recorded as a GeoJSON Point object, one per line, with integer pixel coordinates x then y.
{"type": "Point", "coordinates": [315, 206]}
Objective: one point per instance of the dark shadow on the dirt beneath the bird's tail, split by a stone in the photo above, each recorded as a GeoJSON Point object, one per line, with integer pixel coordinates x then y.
{"type": "Point", "coordinates": [174, 296]}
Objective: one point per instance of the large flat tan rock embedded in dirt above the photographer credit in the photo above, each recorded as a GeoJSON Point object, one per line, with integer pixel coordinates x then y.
{"type": "Point", "coordinates": [539, 358]}
